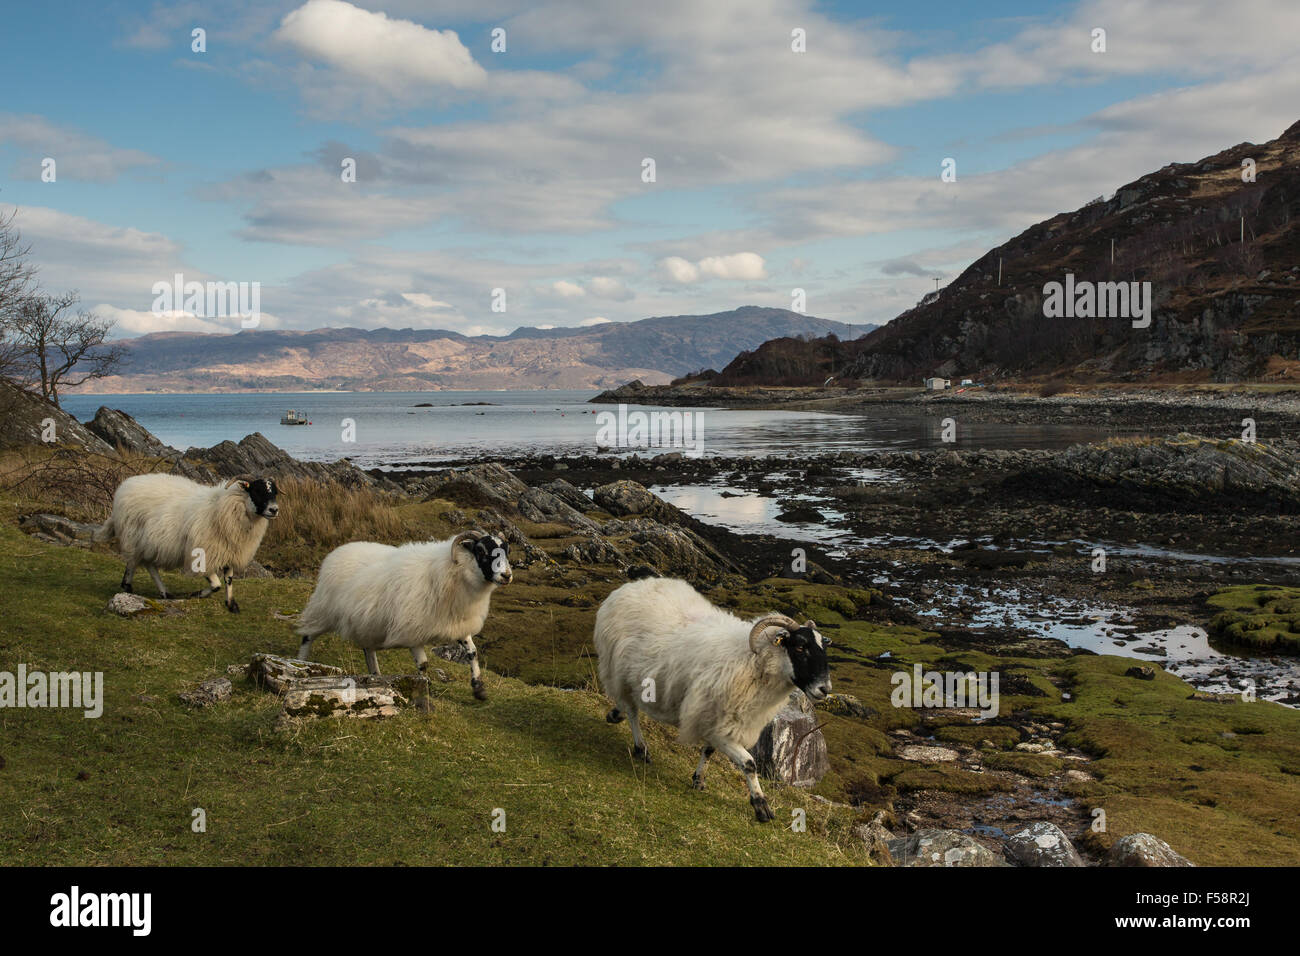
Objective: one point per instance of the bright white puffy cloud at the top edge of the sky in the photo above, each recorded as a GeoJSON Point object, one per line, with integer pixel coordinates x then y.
{"type": "Point", "coordinates": [395, 55]}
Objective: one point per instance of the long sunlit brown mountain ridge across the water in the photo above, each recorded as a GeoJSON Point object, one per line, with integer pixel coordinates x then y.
{"type": "Point", "coordinates": [655, 351]}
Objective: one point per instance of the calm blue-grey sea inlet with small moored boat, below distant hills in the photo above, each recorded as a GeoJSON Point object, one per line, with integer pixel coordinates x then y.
{"type": "Point", "coordinates": [392, 431]}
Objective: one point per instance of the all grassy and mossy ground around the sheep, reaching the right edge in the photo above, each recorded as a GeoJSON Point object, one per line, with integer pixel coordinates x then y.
{"type": "Point", "coordinates": [1219, 781]}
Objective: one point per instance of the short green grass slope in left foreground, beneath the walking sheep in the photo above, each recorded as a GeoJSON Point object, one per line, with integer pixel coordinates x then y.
{"type": "Point", "coordinates": [120, 790]}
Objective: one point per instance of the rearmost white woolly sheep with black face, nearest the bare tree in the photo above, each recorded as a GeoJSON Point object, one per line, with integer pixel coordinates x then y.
{"type": "Point", "coordinates": [174, 524]}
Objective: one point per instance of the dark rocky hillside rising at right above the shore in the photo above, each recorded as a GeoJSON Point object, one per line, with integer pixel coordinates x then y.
{"type": "Point", "coordinates": [1225, 310]}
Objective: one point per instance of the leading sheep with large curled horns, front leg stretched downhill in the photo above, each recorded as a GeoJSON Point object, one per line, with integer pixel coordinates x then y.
{"type": "Point", "coordinates": [668, 651]}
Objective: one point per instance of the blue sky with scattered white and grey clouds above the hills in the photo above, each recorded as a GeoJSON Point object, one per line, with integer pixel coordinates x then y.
{"type": "Point", "coordinates": [525, 168]}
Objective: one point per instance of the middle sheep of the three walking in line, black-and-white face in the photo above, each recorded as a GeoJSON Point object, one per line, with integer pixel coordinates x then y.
{"type": "Point", "coordinates": [380, 598]}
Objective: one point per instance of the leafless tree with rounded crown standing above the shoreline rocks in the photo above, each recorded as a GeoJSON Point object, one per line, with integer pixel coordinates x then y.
{"type": "Point", "coordinates": [58, 349]}
